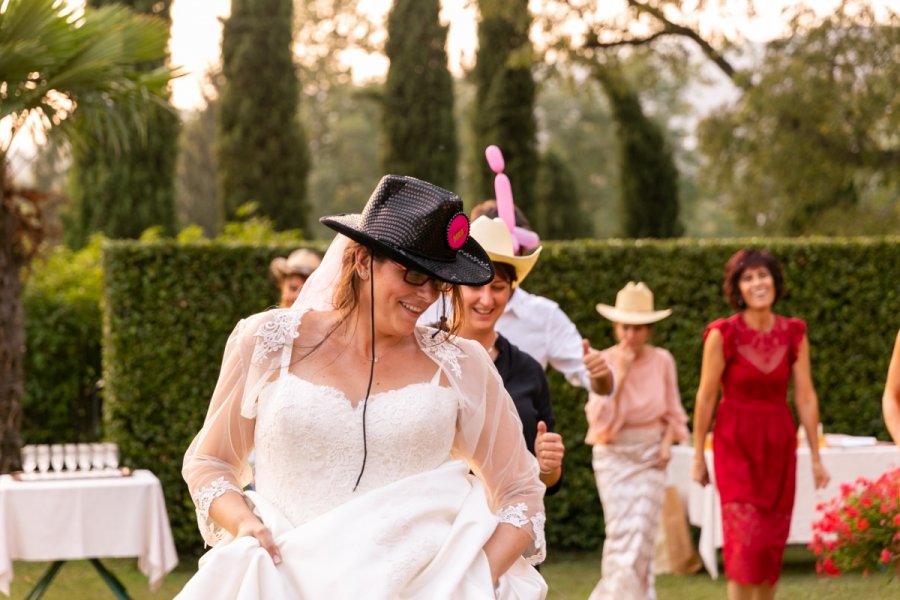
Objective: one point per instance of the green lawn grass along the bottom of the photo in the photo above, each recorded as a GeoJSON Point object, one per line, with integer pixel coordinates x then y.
{"type": "Point", "coordinates": [570, 577]}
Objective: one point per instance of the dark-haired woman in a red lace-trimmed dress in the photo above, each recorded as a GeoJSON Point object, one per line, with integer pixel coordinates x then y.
{"type": "Point", "coordinates": [752, 357]}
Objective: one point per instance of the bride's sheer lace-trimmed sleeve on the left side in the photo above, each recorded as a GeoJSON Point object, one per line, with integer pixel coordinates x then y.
{"type": "Point", "coordinates": [216, 461]}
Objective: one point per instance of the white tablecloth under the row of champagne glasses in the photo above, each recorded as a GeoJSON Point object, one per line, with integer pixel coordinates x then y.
{"type": "Point", "coordinates": [86, 518]}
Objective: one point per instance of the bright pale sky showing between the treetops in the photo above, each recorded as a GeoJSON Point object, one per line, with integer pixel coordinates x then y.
{"type": "Point", "coordinates": [197, 33]}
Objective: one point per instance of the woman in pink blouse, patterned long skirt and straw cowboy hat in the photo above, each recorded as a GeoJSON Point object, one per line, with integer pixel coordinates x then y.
{"type": "Point", "coordinates": [632, 431]}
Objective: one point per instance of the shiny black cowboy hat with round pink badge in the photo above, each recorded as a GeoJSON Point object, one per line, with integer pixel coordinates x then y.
{"type": "Point", "coordinates": [421, 226]}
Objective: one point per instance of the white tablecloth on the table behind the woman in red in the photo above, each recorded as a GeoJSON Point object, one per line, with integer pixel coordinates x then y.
{"type": "Point", "coordinates": [844, 465]}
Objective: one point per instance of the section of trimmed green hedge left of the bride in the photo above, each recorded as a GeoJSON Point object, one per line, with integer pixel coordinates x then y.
{"type": "Point", "coordinates": [169, 309]}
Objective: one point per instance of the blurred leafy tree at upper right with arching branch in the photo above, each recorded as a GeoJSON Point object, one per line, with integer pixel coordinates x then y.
{"type": "Point", "coordinates": [810, 146]}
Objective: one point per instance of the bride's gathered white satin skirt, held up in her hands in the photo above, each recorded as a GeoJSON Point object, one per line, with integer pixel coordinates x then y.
{"type": "Point", "coordinates": [420, 537]}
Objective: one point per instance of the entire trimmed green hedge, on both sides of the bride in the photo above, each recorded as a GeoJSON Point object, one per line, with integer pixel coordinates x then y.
{"type": "Point", "coordinates": [170, 308]}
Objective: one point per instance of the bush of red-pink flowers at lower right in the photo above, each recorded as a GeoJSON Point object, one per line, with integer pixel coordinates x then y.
{"type": "Point", "coordinates": [860, 529]}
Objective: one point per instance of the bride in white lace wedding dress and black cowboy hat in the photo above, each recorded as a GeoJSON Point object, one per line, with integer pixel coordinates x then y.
{"type": "Point", "coordinates": [390, 461]}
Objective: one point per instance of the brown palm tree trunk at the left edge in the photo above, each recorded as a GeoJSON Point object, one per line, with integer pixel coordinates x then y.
{"type": "Point", "coordinates": [12, 332]}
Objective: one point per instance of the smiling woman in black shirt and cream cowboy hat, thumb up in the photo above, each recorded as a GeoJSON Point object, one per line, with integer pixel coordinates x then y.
{"type": "Point", "coordinates": [523, 377]}
